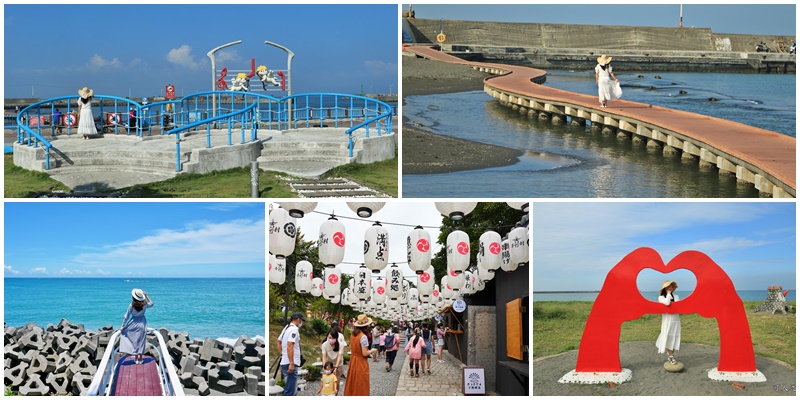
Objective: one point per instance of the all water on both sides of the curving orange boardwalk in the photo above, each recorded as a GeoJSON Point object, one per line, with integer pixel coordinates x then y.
{"type": "Point", "coordinates": [576, 162]}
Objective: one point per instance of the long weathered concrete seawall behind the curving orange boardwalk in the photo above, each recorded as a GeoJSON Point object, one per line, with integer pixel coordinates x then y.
{"type": "Point", "coordinates": [634, 48]}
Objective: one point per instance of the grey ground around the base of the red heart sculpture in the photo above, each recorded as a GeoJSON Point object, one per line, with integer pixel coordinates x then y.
{"type": "Point", "coordinates": [650, 378]}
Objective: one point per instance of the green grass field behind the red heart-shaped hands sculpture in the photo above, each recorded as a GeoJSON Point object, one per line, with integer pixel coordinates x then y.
{"type": "Point", "coordinates": [558, 326]}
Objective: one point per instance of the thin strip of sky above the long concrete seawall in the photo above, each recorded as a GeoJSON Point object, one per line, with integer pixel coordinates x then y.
{"type": "Point", "coordinates": [765, 19]}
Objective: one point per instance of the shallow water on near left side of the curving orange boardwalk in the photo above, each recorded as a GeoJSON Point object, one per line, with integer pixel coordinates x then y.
{"type": "Point", "coordinates": [587, 163]}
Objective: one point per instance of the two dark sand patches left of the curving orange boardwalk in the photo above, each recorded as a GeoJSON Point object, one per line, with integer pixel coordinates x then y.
{"type": "Point", "coordinates": [429, 153]}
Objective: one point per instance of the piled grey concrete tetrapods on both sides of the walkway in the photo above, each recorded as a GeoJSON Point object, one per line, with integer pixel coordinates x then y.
{"type": "Point", "coordinates": [62, 359]}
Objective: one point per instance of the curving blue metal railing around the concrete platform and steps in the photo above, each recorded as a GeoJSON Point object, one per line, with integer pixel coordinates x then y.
{"type": "Point", "coordinates": [220, 108]}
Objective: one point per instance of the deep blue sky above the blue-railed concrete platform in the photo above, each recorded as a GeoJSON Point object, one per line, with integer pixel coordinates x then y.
{"type": "Point", "coordinates": [138, 49]}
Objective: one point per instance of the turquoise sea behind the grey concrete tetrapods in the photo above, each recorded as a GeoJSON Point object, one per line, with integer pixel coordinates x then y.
{"type": "Point", "coordinates": [216, 308]}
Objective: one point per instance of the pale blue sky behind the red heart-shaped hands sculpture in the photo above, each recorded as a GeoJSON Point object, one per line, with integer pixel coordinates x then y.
{"type": "Point", "coordinates": [576, 244]}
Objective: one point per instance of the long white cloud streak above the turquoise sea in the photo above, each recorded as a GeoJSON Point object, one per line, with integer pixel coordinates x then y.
{"type": "Point", "coordinates": [238, 241]}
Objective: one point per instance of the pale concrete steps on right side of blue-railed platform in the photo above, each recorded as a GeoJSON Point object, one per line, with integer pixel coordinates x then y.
{"type": "Point", "coordinates": [290, 154]}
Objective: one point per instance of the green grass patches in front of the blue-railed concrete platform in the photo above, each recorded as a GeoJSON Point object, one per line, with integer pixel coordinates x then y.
{"type": "Point", "coordinates": [232, 183]}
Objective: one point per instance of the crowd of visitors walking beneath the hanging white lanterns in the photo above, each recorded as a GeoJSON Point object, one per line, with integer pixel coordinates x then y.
{"type": "Point", "coordinates": [368, 341]}
